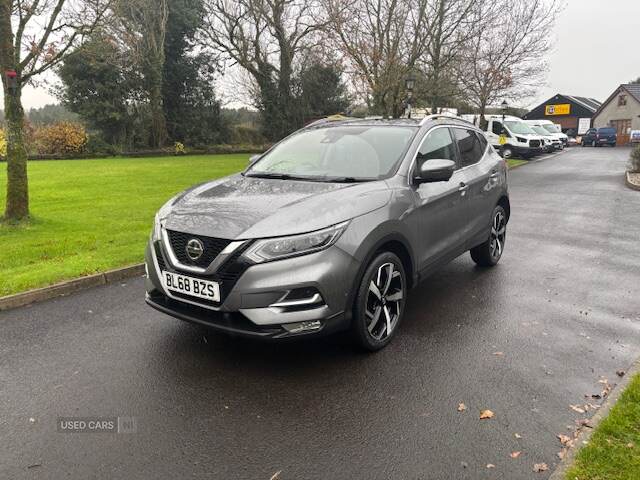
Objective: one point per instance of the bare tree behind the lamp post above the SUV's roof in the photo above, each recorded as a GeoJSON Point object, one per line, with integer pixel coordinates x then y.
{"type": "Point", "coordinates": [382, 41]}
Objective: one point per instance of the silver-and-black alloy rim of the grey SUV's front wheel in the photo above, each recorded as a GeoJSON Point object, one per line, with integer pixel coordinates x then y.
{"type": "Point", "coordinates": [384, 301]}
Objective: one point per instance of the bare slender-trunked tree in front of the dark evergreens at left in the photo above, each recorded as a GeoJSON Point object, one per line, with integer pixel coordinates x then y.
{"type": "Point", "coordinates": [142, 25]}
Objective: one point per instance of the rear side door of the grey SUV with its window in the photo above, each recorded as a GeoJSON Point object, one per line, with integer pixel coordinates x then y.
{"type": "Point", "coordinates": [482, 171]}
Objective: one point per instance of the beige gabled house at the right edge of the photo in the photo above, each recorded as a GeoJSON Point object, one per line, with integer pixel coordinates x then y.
{"type": "Point", "coordinates": [621, 111]}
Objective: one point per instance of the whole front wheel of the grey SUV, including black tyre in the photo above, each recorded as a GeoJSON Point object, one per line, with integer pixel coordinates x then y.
{"type": "Point", "coordinates": [373, 313]}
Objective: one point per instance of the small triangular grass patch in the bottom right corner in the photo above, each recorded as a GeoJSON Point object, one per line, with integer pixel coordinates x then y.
{"type": "Point", "coordinates": [613, 452]}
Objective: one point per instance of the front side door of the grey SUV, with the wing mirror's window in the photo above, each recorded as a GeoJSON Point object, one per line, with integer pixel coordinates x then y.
{"type": "Point", "coordinates": [441, 205]}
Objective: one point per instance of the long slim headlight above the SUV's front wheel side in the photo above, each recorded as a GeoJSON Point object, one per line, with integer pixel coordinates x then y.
{"type": "Point", "coordinates": [283, 247]}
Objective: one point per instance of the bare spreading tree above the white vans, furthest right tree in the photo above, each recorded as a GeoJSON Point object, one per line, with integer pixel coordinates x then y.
{"type": "Point", "coordinates": [506, 59]}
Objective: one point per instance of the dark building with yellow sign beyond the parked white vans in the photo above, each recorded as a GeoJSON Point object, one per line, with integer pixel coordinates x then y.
{"type": "Point", "coordinates": [571, 112]}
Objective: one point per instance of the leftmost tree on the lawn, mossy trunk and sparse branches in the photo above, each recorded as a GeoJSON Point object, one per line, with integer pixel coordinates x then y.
{"type": "Point", "coordinates": [35, 35]}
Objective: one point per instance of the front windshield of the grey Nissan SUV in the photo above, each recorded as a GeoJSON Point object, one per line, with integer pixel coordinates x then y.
{"type": "Point", "coordinates": [341, 152]}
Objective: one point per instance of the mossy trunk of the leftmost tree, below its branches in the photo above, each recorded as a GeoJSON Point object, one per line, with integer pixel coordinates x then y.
{"type": "Point", "coordinates": [17, 207]}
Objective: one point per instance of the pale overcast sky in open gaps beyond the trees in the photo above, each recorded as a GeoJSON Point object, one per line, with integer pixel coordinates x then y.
{"type": "Point", "coordinates": [596, 49]}
